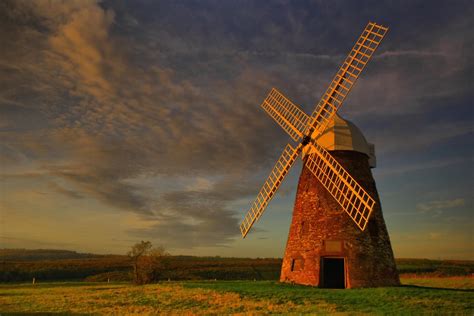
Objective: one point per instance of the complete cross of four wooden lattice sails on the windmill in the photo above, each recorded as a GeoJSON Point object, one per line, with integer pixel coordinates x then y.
{"type": "Point", "coordinates": [355, 201]}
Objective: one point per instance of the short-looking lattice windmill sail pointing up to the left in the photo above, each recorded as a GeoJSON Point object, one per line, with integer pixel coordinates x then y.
{"type": "Point", "coordinates": [288, 115]}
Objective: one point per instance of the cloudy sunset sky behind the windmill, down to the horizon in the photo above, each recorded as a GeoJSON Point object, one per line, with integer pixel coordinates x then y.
{"type": "Point", "coordinates": [123, 121]}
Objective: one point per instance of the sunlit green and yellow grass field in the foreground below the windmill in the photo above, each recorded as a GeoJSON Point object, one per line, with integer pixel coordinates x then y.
{"type": "Point", "coordinates": [417, 296]}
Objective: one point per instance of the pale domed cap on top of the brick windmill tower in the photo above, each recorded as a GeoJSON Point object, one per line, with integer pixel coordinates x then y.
{"type": "Point", "coordinates": [342, 134]}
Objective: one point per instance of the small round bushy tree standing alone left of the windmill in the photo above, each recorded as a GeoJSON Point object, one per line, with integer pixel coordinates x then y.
{"type": "Point", "coordinates": [147, 262]}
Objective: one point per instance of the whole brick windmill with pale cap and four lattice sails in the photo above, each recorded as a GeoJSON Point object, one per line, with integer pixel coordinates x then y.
{"type": "Point", "coordinates": [328, 244]}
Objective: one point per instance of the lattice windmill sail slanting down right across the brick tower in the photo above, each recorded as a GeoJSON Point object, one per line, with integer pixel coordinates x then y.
{"type": "Point", "coordinates": [346, 191]}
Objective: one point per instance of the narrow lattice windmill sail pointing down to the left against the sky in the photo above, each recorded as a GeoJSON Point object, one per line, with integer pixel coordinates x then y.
{"type": "Point", "coordinates": [270, 187]}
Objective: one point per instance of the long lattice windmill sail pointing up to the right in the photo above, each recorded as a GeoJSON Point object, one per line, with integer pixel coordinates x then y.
{"type": "Point", "coordinates": [346, 76]}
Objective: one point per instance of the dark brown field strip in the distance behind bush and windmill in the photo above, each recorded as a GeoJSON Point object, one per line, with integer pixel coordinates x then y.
{"type": "Point", "coordinates": [20, 265]}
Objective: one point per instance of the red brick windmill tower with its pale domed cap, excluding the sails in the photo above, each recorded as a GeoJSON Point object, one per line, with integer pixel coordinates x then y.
{"type": "Point", "coordinates": [325, 248]}
